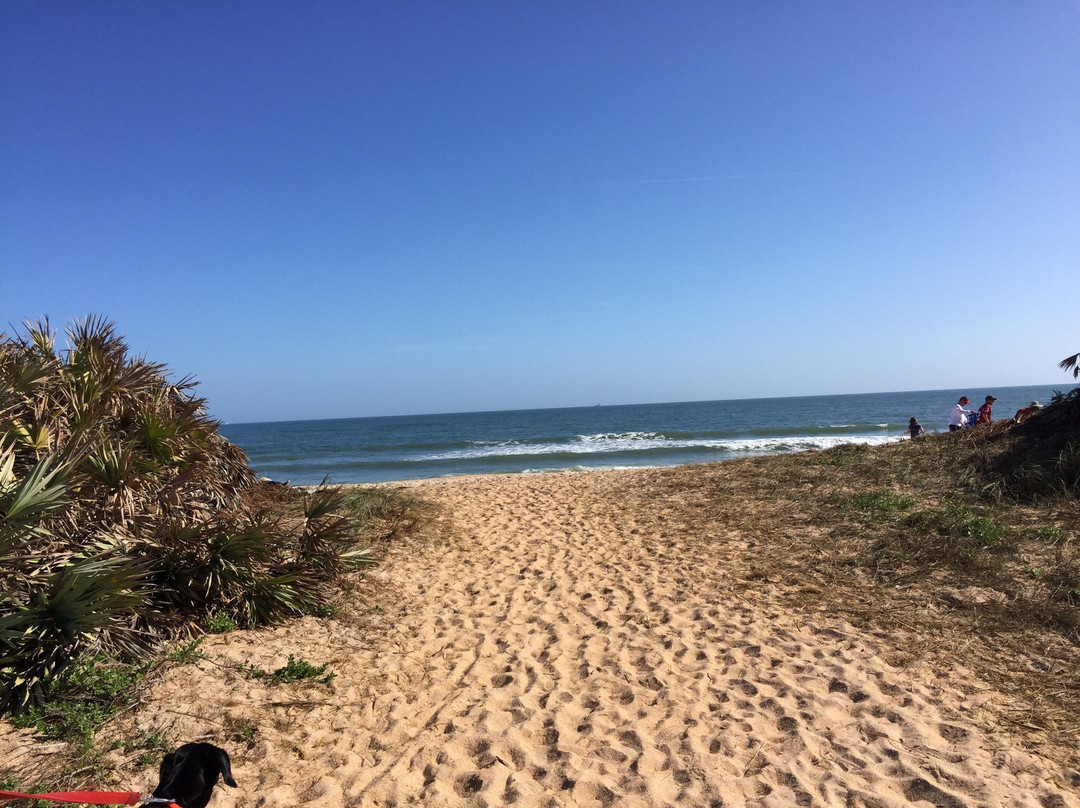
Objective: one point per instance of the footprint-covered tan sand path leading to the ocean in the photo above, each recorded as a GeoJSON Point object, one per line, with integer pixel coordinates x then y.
{"type": "Point", "coordinates": [557, 641]}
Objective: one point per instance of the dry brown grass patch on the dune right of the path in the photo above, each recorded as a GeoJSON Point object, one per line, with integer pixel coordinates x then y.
{"type": "Point", "coordinates": [929, 543]}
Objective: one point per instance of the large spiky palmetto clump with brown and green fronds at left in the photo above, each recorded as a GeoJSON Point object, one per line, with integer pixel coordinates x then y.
{"type": "Point", "coordinates": [126, 517]}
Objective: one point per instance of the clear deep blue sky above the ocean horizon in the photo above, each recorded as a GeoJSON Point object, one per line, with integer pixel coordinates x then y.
{"type": "Point", "coordinates": [333, 210]}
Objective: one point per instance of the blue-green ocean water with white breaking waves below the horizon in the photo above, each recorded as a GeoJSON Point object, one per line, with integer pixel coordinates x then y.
{"type": "Point", "coordinates": [533, 441]}
